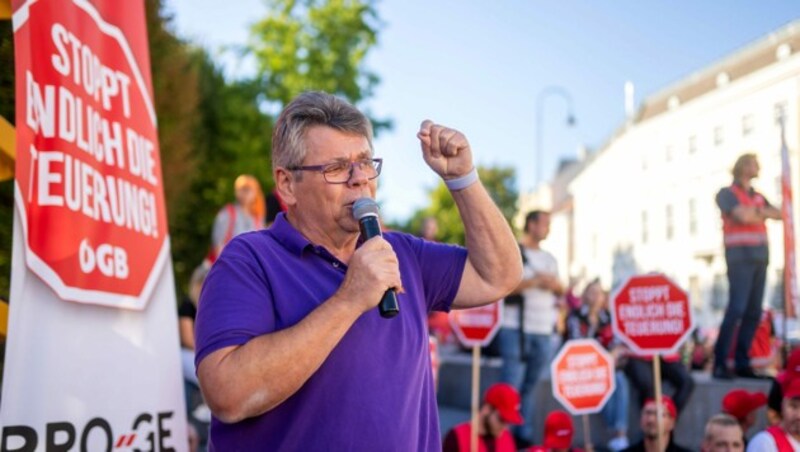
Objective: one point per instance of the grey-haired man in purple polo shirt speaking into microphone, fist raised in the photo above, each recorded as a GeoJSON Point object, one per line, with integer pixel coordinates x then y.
{"type": "Point", "coordinates": [292, 352]}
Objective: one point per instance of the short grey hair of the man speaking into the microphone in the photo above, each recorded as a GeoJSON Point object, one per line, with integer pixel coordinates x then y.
{"type": "Point", "coordinates": [313, 108]}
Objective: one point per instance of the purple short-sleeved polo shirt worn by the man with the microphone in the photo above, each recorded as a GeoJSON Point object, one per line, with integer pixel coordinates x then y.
{"type": "Point", "coordinates": [375, 390]}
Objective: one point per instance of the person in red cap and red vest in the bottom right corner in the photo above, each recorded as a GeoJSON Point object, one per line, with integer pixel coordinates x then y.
{"type": "Point", "coordinates": [785, 436]}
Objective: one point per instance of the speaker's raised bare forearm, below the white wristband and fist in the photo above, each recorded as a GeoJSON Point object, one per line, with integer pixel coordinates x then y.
{"type": "Point", "coordinates": [492, 249]}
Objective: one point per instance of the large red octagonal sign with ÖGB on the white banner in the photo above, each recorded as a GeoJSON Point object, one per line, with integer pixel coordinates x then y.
{"type": "Point", "coordinates": [88, 172]}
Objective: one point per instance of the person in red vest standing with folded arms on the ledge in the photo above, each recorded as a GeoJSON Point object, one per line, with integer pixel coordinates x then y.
{"type": "Point", "coordinates": [744, 212]}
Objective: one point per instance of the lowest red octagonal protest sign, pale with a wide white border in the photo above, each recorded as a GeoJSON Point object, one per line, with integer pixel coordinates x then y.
{"type": "Point", "coordinates": [582, 376]}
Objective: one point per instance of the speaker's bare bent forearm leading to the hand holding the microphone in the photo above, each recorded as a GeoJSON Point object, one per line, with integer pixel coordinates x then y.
{"type": "Point", "coordinates": [245, 381]}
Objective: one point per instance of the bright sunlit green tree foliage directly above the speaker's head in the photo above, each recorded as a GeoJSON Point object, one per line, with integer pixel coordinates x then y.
{"type": "Point", "coordinates": [306, 45]}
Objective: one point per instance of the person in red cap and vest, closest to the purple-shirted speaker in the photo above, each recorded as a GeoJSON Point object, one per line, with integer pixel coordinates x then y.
{"type": "Point", "coordinates": [500, 409]}
